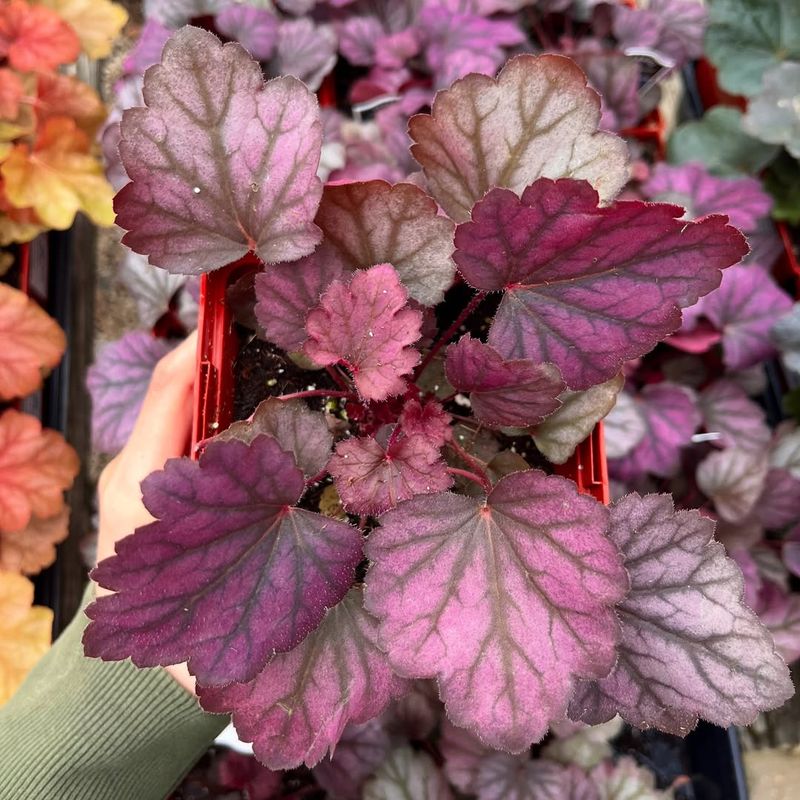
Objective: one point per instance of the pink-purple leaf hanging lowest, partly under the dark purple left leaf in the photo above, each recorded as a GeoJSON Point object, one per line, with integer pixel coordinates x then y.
{"type": "Point", "coordinates": [297, 707]}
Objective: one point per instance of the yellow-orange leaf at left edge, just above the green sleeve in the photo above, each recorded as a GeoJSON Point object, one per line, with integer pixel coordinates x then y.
{"type": "Point", "coordinates": [25, 632]}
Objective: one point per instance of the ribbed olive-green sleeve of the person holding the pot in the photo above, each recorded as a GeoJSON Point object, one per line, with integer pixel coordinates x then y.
{"type": "Point", "coordinates": [83, 729]}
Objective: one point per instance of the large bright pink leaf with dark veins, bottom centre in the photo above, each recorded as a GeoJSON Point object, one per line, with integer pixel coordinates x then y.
{"type": "Point", "coordinates": [505, 599]}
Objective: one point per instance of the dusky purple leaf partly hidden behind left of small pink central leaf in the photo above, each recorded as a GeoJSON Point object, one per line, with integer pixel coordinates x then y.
{"type": "Point", "coordinates": [286, 293]}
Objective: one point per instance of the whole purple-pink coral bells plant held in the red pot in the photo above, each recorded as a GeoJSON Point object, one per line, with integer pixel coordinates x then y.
{"type": "Point", "coordinates": [460, 333]}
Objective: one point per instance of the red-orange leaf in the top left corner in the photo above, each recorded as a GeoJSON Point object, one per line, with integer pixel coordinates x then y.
{"type": "Point", "coordinates": [35, 38]}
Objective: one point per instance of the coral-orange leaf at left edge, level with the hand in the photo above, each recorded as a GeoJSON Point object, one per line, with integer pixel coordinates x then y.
{"type": "Point", "coordinates": [36, 466]}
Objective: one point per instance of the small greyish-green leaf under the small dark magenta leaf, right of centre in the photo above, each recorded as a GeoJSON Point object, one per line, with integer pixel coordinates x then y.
{"type": "Point", "coordinates": [559, 435]}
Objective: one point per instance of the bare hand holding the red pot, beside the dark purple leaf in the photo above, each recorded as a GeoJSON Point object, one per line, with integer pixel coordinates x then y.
{"type": "Point", "coordinates": [161, 432]}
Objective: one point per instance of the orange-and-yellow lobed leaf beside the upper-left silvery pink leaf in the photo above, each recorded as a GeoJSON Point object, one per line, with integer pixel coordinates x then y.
{"type": "Point", "coordinates": [59, 177]}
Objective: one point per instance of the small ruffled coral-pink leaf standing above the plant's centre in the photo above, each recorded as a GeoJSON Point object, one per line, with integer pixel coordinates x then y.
{"type": "Point", "coordinates": [367, 326]}
